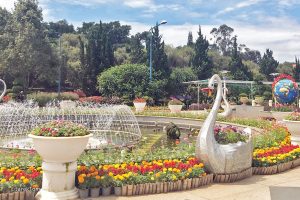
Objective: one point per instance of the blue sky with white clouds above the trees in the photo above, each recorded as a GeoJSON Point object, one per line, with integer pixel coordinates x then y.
{"type": "Point", "coordinates": [259, 24]}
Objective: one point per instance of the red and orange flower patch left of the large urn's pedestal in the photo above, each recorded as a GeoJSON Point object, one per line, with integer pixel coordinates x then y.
{"type": "Point", "coordinates": [20, 184]}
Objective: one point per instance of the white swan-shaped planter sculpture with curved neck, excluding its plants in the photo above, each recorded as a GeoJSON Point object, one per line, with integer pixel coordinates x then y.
{"type": "Point", "coordinates": [221, 159]}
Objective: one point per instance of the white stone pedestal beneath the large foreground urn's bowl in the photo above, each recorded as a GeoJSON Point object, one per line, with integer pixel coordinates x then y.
{"type": "Point", "coordinates": [58, 181]}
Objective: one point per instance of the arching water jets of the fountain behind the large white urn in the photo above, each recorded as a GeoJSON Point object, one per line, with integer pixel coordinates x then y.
{"type": "Point", "coordinates": [111, 125]}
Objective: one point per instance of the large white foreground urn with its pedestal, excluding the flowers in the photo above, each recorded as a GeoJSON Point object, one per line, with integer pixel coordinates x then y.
{"type": "Point", "coordinates": [59, 156]}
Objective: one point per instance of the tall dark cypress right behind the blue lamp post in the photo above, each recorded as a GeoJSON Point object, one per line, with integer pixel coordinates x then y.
{"type": "Point", "coordinates": [159, 57]}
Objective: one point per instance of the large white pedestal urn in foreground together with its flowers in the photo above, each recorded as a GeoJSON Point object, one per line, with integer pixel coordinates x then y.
{"type": "Point", "coordinates": [59, 143]}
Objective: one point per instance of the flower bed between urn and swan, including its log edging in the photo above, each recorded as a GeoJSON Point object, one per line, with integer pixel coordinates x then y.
{"type": "Point", "coordinates": [144, 178]}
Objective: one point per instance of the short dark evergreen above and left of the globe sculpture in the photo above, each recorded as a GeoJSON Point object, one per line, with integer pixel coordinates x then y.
{"type": "Point", "coordinates": [268, 64]}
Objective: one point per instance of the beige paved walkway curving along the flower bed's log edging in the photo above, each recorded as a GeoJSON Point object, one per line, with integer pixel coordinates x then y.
{"type": "Point", "coordinates": [283, 186]}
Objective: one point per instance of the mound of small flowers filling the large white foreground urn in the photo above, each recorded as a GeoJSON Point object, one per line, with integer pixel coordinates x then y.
{"type": "Point", "coordinates": [60, 129]}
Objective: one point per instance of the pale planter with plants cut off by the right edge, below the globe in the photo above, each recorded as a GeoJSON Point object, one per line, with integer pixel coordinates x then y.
{"type": "Point", "coordinates": [292, 121]}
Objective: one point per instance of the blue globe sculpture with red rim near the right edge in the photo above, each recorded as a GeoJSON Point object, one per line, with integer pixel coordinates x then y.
{"type": "Point", "coordinates": [285, 90]}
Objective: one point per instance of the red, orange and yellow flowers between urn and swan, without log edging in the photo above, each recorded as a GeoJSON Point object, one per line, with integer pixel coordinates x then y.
{"type": "Point", "coordinates": [133, 173]}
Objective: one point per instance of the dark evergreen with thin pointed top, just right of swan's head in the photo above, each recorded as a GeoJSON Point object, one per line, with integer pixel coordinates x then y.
{"type": "Point", "coordinates": [237, 68]}
